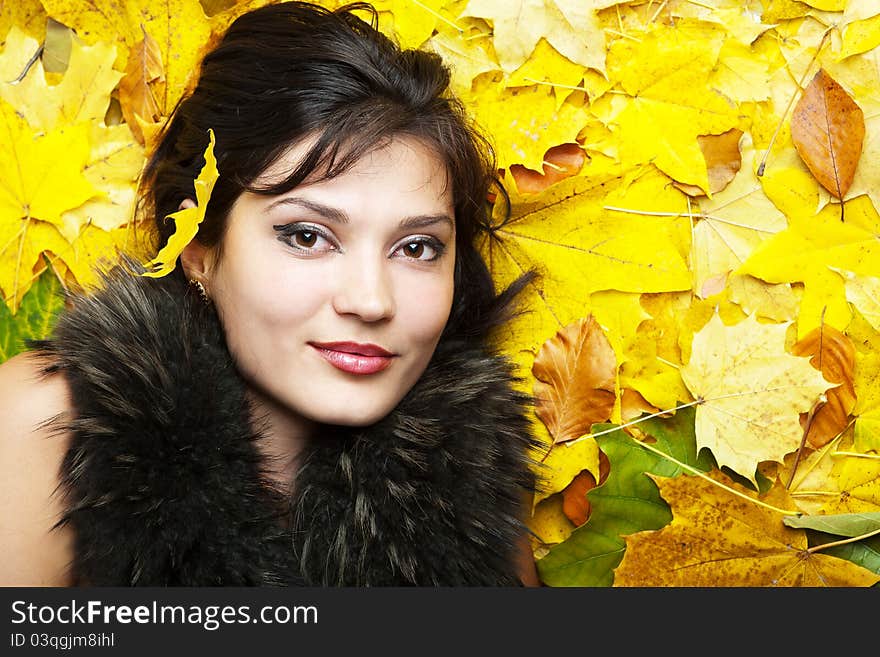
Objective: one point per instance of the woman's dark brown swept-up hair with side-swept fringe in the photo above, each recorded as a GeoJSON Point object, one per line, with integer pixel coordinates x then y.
{"type": "Point", "coordinates": [293, 70]}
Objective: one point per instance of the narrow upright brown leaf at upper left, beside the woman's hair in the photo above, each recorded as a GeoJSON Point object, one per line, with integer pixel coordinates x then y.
{"type": "Point", "coordinates": [144, 80]}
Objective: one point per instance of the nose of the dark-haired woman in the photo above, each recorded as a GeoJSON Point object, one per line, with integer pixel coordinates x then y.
{"type": "Point", "coordinates": [364, 288]}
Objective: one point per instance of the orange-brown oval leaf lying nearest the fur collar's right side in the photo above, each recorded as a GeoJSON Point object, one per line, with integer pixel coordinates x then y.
{"type": "Point", "coordinates": [575, 375]}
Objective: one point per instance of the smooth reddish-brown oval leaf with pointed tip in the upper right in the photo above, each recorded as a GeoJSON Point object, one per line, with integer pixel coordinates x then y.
{"type": "Point", "coordinates": [828, 128]}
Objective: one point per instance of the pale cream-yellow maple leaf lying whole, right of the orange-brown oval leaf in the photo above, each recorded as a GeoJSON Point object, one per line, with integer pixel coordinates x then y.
{"type": "Point", "coordinates": [751, 392]}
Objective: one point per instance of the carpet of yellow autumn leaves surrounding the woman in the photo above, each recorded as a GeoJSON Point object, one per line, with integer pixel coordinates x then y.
{"type": "Point", "coordinates": [696, 183]}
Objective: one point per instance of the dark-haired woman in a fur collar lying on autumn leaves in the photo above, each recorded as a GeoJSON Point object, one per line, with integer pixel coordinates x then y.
{"type": "Point", "coordinates": [308, 398]}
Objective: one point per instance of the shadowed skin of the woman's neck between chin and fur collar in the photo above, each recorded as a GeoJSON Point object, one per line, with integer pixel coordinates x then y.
{"type": "Point", "coordinates": [284, 434]}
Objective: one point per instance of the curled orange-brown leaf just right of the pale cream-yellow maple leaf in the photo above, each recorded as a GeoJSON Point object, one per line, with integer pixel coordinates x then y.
{"type": "Point", "coordinates": [834, 355]}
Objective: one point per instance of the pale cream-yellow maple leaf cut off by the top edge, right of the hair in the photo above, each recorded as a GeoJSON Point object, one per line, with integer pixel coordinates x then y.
{"type": "Point", "coordinates": [570, 26]}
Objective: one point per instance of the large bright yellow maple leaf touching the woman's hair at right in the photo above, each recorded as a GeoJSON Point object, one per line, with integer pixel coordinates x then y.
{"type": "Point", "coordinates": [581, 248]}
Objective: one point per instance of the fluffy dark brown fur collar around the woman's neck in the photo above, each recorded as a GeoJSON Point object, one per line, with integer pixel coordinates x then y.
{"type": "Point", "coordinates": [165, 486]}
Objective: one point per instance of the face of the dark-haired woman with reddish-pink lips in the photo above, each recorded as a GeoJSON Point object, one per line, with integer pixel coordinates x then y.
{"type": "Point", "coordinates": [333, 296]}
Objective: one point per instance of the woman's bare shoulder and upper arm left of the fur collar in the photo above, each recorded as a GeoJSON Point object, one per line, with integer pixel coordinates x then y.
{"type": "Point", "coordinates": [32, 450]}
